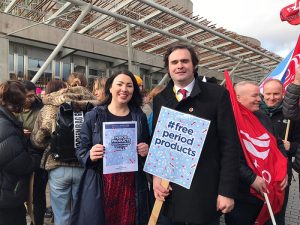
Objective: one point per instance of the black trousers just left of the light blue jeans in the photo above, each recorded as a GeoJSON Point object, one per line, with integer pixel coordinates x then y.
{"type": "Point", "coordinates": [39, 195]}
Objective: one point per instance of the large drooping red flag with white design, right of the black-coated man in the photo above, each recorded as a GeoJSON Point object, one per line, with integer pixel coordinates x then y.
{"type": "Point", "coordinates": [261, 153]}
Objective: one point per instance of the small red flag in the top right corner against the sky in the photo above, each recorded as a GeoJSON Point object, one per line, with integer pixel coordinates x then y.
{"type": "Point", "coordinates": [291, 14]}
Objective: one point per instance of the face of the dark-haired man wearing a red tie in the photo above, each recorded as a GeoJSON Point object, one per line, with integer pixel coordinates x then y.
{"type": "Point", "coordinates": [181, 68]}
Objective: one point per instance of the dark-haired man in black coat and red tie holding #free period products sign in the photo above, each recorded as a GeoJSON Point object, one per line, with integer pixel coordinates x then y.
{"type": "Point", "coordinates": [215, 181]}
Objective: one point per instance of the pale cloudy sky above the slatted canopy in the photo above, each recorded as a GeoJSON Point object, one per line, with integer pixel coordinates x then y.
{"type": "Point", "coordinates": [255, 18]}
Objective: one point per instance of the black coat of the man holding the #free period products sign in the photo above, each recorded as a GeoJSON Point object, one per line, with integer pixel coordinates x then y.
{"type": "Point", "coordinates": [217, 170]}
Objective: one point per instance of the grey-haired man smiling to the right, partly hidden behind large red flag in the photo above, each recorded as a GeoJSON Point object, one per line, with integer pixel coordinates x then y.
{"type": "Point", "coordinates": [247, 206]}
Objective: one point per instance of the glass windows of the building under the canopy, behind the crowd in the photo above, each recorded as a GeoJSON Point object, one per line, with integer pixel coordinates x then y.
{"type": "Point", "coordinates": [25, 61]}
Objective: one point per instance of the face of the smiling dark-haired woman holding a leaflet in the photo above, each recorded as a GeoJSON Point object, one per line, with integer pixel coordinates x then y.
{"type": "Point", "coordinates": [122, 89]}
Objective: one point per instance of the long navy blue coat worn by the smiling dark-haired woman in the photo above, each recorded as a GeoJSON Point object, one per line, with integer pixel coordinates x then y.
{"type": "Point", "coordinates": [89, 205]}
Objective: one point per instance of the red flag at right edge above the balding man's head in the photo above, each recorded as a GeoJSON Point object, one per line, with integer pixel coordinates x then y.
{"type": "Point", "coordinates": [290, 73]}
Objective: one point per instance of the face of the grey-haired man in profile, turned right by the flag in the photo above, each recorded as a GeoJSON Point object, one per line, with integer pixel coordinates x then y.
{"type": "Point", "coordinates": [248, 96]}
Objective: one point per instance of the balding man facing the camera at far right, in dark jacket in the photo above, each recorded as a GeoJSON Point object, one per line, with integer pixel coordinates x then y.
{"type": "Point", "coordinates": [272, 106]}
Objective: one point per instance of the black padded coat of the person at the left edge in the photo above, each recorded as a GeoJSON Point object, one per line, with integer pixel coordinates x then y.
{"type": "Point", "coordinates": [16, 163]}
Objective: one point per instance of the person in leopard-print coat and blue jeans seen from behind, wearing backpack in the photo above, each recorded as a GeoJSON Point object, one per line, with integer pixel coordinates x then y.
{"type": "Point", "coordinates": [64, 177]}
